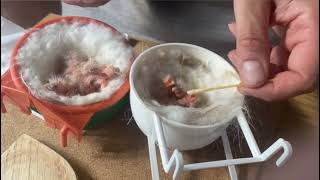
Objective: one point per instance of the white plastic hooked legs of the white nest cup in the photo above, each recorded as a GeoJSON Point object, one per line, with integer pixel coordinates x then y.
{"type": "Point", "coordinates": [176, 163]}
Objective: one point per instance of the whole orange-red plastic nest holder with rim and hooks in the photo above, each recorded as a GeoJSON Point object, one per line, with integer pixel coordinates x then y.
{"type": "Point", "coordinates": [67, 118]}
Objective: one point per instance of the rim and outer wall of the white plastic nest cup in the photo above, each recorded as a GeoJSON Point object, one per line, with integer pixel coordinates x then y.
{"type": "Point", "coordinates": [177, 135]}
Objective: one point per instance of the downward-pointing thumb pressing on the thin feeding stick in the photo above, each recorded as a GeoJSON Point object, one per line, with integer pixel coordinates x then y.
{"type": "Point", "coordinates": [253, 46]}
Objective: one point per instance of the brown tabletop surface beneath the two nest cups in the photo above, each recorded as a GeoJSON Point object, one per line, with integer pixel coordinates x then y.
{"type": "Point", "coordinates": [119, 151]}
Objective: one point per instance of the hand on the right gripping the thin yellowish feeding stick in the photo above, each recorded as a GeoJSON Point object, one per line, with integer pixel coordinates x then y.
{"type": "Point", "coordinates": [289, 69]}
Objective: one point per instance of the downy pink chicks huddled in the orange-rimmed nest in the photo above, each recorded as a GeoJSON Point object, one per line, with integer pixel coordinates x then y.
{"type": "Point", "coordinates": [81, 77]}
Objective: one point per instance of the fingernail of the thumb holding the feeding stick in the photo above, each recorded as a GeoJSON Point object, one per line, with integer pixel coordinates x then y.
{"type": "Point", "coordinates": [252, 73]}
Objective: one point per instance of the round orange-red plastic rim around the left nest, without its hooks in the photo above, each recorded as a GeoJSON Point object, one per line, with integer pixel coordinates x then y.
{"type": "Point", "coordinates": [94, 107]}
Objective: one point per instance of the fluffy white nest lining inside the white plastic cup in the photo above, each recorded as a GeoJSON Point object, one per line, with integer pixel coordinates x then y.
{"type": "Point", "coordinates": [213, 108]}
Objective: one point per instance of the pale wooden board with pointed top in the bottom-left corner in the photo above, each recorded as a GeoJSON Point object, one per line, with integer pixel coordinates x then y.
{"type": "Point", "coordinates": [28, 159]}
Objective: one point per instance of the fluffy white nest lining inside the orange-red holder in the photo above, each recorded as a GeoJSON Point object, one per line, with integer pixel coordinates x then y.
{"type": "Point", "coordinates": [39, 57]}
